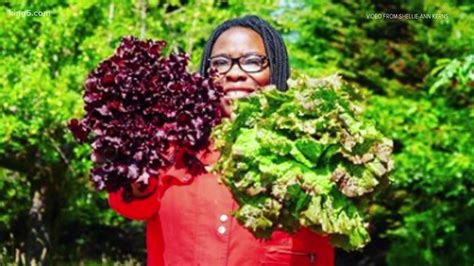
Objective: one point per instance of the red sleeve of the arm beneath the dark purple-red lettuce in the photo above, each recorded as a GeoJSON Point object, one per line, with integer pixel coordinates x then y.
{"type": "Point", "coordinates": [137, 209]}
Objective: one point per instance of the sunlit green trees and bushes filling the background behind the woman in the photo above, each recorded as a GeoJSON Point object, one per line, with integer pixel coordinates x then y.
{"type": "Point", "coordinates": [420, 73]}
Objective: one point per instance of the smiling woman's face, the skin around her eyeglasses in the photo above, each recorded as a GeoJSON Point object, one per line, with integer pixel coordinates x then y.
{"type": "Point", "coordinates": [234, 43]}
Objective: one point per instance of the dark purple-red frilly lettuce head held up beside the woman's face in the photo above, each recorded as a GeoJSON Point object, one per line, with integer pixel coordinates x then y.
{"type": "Point", "coordinates": [143, 112]}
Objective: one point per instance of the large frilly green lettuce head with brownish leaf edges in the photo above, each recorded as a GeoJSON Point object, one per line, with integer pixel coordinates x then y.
{"type": "Point", "coordinates": [303, 157]}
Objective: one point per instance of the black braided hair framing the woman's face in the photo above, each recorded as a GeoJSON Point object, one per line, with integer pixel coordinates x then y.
{"type": "Point", "coordinates": [274, 46]}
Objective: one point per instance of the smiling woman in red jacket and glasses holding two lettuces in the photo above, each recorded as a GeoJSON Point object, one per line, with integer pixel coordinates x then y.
{"type": "Point", "coordinates": [191, 224]}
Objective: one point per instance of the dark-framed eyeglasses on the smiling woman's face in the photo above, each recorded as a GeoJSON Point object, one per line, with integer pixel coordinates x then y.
{"type": "Point", "coordinates": [249, 63]}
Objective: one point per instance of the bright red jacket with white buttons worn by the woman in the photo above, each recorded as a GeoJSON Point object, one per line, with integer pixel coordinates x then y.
{"type": "Point", "coordinates": [191, 224]}
